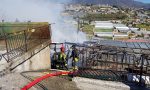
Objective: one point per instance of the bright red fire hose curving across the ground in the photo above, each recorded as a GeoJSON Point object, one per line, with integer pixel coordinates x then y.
{"type": "Point", "coordinates": [28, 86]}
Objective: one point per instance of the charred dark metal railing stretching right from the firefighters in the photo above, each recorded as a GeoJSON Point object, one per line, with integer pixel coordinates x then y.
{"type": "Point", "coordinates": [118, 63]}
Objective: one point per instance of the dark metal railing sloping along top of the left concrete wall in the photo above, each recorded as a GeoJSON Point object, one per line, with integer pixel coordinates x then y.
{"type": "Point", "coordinates": [19, 42]}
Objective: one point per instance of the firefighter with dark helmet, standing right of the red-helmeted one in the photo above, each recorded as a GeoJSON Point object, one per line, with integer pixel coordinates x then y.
{"type": "Point", "coordinates": [75, 57]}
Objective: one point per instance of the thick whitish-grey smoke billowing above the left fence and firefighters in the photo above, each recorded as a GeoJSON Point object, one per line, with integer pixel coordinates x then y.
{"type": "Point", "coordinates": [42, 11]}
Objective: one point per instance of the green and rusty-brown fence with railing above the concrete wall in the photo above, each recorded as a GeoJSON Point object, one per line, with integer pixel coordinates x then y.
{"type": "Point", "coordinates": [18, 41]}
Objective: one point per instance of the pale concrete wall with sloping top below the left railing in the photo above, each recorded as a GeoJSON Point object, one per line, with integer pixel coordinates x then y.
{"type": "Point", "coordinates": [31, 60]}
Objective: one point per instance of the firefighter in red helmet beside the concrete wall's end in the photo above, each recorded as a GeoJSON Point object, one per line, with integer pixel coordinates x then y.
{"type": "Point", "coordinates": [62, 63]}
